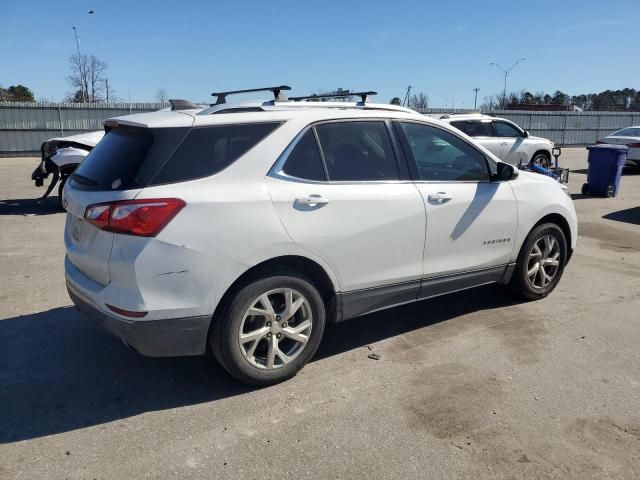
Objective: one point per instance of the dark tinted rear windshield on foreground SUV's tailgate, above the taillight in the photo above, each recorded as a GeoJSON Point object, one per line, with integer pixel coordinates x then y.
{"type": "Point", "coordinates": [115, 161]}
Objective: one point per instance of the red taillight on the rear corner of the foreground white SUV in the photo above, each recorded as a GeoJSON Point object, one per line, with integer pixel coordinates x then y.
{"type": "Point", "coordinates": [144, 218]}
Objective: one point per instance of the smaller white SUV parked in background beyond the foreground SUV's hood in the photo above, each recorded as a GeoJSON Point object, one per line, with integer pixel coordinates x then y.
{"type": "Point", "coordinates": [504, 139]}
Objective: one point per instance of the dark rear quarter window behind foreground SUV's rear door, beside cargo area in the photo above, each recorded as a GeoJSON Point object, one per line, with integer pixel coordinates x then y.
{"type": "Point", "coordinates": [208, 150]}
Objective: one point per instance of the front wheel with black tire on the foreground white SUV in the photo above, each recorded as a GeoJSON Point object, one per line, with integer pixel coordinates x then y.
{"type": "Point", "coordinates": [546, 276]}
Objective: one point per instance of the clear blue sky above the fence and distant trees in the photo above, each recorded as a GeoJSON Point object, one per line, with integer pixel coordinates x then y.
{"type": "Point", "coordinates": [192, 48]}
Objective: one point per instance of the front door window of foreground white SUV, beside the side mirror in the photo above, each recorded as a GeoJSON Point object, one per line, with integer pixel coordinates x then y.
{"type": "Point", "coordinates": [440, 155]}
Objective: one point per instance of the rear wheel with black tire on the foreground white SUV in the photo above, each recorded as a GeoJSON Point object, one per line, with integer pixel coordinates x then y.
{"type": "Point", "coordinates": [252, 361]}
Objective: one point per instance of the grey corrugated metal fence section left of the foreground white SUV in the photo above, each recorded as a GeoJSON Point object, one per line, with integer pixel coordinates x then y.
{"type": "Point", "coordinates": [24, 125]}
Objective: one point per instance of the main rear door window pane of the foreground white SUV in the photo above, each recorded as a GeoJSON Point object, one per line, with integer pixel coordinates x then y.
{"type": "Point", "coordinates": [357, 151]}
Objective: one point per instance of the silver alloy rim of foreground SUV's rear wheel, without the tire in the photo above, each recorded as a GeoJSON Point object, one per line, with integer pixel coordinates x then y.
{"type": "Point", "coordinates": [275, 329]}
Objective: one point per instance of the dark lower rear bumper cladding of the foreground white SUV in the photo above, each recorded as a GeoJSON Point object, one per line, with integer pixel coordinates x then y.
{"type": "Point", "coordinates": [154, 338]}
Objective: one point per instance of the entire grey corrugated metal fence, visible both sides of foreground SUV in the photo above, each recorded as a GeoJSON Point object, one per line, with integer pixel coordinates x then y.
{"type": "Point", "coordinates": [24, 126]}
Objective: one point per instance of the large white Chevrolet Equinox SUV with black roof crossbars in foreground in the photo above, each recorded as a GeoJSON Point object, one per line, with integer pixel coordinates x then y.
{"type": "Point", "coordinates": [246, 227]}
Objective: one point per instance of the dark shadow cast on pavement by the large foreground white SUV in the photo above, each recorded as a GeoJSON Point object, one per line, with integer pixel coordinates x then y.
{"type": "Point", "coordinates": [61, 372]}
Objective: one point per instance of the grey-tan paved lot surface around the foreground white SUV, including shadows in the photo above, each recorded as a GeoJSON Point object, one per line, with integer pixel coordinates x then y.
{"type": "Point", "coordinates": [470, 384]}
